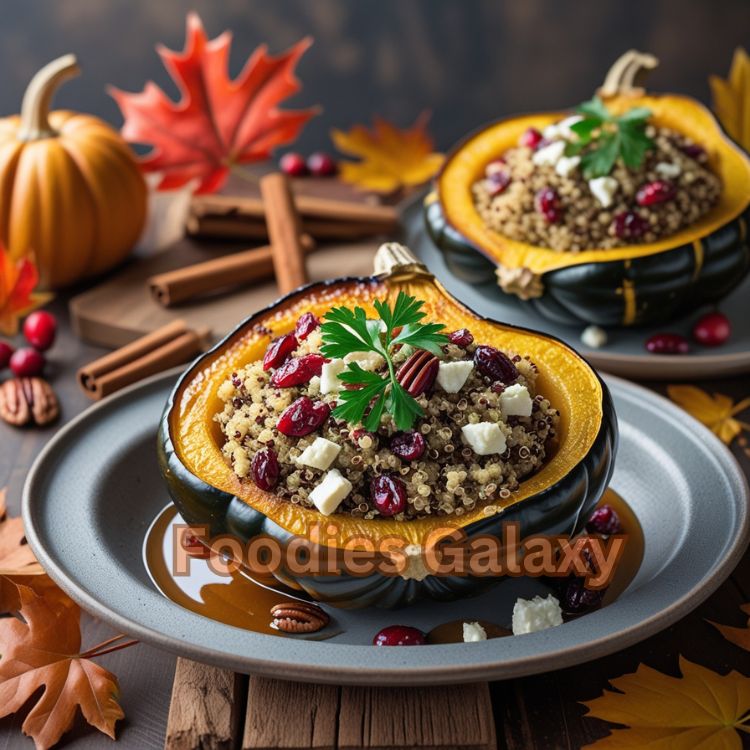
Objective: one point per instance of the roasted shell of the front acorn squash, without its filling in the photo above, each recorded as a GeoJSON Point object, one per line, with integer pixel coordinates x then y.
{"type": "Point", "coordinates": [556, 500]}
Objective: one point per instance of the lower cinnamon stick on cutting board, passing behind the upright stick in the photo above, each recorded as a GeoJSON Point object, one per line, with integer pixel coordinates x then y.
{"type": "Point", "coordinates": [236, 269]}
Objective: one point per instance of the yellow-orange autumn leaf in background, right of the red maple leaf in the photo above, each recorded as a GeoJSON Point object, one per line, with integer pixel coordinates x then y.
{"type": "Point", "coordinates": [390, 158]}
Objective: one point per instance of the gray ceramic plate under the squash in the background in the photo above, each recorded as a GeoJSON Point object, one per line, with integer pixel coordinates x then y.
{"type": "Point", "coordinates": [473, 283]}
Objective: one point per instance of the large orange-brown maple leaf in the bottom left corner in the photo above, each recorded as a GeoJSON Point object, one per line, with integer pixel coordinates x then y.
{"type": "Point", "coordinates": [42, 651]}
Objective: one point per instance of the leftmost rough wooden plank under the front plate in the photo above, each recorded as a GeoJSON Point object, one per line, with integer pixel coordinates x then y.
{"type": "Point", "coordinates": [206, 707]}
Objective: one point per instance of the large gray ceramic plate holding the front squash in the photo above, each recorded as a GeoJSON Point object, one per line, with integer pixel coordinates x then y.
{"type": "Point", "coordinates": [95, 489]}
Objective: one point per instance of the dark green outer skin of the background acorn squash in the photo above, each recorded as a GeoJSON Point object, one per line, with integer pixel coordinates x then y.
{"type": "Point", "coordinates": [661, 286]}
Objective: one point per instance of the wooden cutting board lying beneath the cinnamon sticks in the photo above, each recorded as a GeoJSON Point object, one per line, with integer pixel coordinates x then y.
{"type": "Point", "coordinates": [121, 309]}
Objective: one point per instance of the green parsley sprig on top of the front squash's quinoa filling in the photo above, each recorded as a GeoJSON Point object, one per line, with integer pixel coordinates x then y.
{"type": "Point", "coordinates": [346, 331]}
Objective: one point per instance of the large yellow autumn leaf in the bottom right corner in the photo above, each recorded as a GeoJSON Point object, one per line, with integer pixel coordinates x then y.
{"type": "Point", "coordinates": [700, 709]}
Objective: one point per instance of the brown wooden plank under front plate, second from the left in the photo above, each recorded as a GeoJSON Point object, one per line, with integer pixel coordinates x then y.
{"type": "Point", "coordinates": [289, 715]}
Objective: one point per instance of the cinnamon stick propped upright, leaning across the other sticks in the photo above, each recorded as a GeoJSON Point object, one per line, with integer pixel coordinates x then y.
{"type": "Point", "coordinates": [284, 231]}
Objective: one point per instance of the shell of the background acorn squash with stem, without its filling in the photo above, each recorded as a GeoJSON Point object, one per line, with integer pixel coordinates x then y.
{"type": "Point", "coordinates": [622, 286]}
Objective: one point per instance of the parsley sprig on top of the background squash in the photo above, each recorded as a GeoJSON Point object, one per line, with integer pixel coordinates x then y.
{"type": "Point", "coordinates": [604, 137]}
